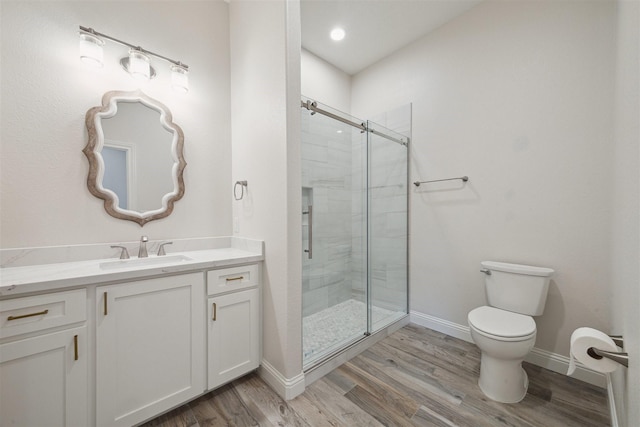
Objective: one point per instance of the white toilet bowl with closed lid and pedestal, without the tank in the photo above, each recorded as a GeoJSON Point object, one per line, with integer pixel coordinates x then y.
{"type": "Point", "coordinates": [504, 338]}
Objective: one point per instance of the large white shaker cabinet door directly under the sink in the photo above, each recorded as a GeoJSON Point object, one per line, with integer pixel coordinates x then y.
{"type": "Point", "coordinates": [150, 347]}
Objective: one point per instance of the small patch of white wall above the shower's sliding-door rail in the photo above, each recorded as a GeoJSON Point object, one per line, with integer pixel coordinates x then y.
{"type": "Point", "coordinates": [325, 83]}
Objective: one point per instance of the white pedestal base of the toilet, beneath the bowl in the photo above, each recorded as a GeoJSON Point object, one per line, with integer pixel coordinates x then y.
{"type": "Point", "coordinates": [503, 380]}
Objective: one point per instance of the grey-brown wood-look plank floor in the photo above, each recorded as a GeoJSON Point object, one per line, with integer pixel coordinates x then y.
{"type": "Point", "coordinates": [415, 377]}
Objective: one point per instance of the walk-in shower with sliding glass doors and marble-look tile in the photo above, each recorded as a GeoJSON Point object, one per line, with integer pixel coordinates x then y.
{"type": "Point", "coordinates": [354, 220]}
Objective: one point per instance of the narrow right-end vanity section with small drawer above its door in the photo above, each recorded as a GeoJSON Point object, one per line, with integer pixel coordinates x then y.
{"type": "Point", "coordinates": [234, 338]}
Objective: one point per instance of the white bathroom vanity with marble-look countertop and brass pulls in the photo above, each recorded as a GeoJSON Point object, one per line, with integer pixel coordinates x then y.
{"type": "Point", "coordinates": [116, 342]}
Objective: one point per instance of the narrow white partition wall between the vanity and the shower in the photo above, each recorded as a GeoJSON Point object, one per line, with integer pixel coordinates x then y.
{"type": "Point", "coordinates": [265, 87]}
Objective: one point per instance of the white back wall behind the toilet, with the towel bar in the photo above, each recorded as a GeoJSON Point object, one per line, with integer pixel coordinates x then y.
{"type": "Point", "coordinates": [519, 97]}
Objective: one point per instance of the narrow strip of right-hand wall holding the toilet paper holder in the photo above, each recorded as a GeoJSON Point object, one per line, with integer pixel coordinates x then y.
{"type": "Point", "coordinates": [626, 211]}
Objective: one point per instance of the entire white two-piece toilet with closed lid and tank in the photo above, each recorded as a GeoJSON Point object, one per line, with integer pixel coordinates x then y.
{"type": "Point", "coordinates": [505, 331]}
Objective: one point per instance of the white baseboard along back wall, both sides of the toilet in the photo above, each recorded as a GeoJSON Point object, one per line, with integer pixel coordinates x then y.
{"type": "Point", "coordinates": [539, 357]}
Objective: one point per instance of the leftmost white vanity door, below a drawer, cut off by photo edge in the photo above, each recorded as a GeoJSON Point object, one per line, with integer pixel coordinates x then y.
{"type": "Point", "coordinates": [43, 380]}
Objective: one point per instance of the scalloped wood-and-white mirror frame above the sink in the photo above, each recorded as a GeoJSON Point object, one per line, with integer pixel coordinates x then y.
{"type": "Point", "coordinates": [92, 150]}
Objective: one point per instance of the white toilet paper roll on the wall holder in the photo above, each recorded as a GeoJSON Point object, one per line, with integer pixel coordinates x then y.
{"type": "Point", "coordinates": [582, 339]}
